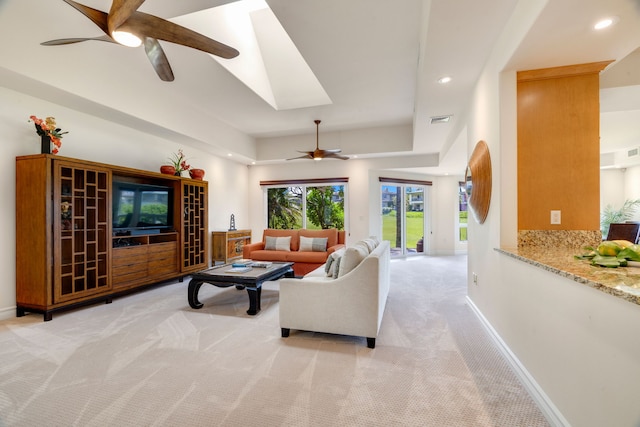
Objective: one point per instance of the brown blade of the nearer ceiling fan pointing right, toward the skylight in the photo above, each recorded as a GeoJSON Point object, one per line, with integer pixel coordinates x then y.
{"type": "Point", "coordinates": [147, 25]}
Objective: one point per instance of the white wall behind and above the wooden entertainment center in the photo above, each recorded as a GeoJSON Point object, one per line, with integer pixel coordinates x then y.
{"type": "Point", "coordinates": [95, 139]}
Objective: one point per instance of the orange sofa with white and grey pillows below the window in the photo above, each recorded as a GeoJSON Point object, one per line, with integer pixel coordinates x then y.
{"type": "Point", "coordinates": [305, 248]}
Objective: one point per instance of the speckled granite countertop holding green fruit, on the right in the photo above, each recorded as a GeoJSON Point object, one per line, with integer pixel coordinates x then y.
{"type": "Point", "coordinates": [621, 282]}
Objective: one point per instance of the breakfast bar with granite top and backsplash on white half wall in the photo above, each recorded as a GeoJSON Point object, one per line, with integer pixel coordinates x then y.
{"type": "Point", "coordinates": [576, 347]}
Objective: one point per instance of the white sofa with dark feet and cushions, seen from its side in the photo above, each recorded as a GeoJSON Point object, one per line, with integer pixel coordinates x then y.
{"type": "Point", "coordinates": [351, 304]}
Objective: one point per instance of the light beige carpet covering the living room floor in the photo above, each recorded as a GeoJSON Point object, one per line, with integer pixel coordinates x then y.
{"type": "Point", "coordinates": [148, 359]}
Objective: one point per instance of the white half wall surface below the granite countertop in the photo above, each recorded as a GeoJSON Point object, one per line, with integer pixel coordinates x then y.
{"type": "Point", "coordinates": [578, 343]}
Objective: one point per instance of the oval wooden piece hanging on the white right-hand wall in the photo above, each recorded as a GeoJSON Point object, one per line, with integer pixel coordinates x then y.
{"type": "Point", "coordinates": [478, 181]}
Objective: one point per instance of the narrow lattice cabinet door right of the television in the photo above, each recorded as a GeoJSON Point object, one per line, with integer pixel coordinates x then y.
{"type": "Point", "coordinates": [194, 226]}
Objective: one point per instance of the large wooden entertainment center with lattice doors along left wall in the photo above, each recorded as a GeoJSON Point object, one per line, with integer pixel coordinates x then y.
{"type": "Point", "coordinates": [68, 252]}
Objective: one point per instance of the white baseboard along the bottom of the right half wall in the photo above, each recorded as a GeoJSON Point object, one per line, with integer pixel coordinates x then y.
{"type": "Point", "coordinates": [548, 409]}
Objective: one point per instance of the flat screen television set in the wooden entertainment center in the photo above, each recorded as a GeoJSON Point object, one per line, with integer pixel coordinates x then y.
{"type": "Point", "coordinates": [138, 207]}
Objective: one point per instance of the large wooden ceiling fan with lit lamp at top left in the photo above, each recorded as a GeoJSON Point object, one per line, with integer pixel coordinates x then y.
{"type": "Point", "coordinates": [125, 25]}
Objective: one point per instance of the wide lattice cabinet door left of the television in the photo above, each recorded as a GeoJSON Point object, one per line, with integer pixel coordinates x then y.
{"type": "Point", "coordinates": [81, 231]}
